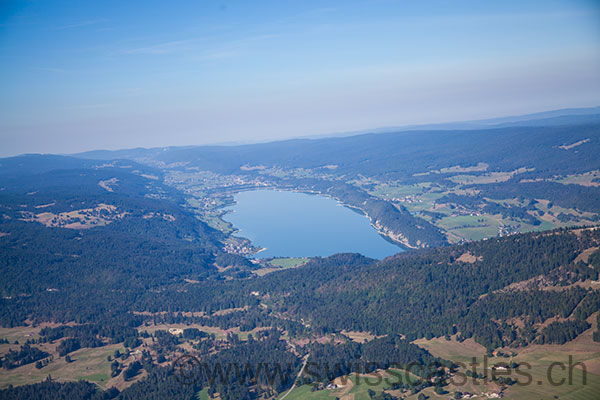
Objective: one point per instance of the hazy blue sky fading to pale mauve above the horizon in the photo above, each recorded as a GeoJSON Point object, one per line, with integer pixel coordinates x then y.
{"type": "Point", "coordinates": [81, 75]}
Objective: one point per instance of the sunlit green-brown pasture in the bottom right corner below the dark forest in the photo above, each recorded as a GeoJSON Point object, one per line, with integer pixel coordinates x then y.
{"type": "Point", "coordinates": [537, 377]}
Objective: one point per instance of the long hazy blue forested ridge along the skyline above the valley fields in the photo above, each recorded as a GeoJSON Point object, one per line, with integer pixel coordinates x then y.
{"type": "Point", "coordinates": [399, 154]}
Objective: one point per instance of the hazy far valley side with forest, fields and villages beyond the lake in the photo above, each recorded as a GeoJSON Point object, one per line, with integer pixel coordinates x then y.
{"type": "Point", "coordinates": [421, 188]}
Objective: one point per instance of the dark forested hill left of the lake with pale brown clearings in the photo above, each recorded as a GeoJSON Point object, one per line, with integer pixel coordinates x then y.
{"type": "Point", "coordinates": [77, 243]}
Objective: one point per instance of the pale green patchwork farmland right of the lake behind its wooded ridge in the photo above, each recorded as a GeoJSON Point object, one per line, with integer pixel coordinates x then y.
{"type": "Point", "coordinates": [460, 222]}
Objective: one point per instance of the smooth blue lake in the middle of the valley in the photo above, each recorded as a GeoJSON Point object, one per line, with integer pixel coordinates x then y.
{"type": "Point", "coordinates": [301, 225]}
